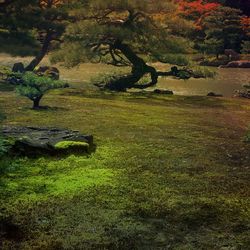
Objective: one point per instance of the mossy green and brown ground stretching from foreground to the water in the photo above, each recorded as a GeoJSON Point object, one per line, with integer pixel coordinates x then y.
{"type": "Point", "coordinates": [168, 173]}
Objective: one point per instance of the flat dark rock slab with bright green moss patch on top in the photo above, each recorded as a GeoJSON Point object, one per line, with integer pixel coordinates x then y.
{"type": "Point", "coordinates": [35, 140]}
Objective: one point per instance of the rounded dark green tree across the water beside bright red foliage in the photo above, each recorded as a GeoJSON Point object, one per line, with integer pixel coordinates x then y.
{"type": "Point", "coordinates": [222, 29]}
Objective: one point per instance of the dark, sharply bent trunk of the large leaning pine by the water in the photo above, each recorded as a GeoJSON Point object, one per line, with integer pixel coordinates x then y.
{"type": "Point", "coordinates": [139, 69]}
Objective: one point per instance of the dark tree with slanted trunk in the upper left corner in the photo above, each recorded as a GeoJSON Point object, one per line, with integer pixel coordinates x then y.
{"type": "Point", "coordinates": [39, 23]}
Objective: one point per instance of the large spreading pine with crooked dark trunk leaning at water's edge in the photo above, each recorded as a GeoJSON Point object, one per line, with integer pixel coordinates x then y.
{"type": "Point", "coordinates": [126, 33]}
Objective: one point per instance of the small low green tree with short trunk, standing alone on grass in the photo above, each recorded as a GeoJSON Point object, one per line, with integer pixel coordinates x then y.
{"type": "Point", "coordinates": [34, 87]}
